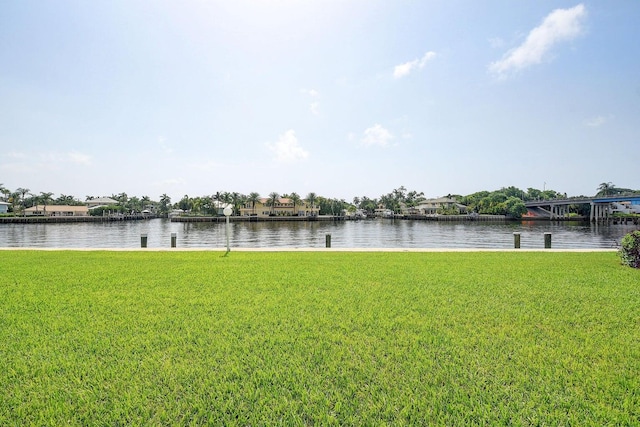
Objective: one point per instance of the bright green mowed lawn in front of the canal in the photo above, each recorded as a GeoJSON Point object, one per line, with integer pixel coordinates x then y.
{"type": "Point", "coordinates": [324, 338]}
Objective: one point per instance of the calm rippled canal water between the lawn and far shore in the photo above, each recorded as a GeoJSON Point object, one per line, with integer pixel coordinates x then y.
{"type": "Point", "coordinates": [379, 233]}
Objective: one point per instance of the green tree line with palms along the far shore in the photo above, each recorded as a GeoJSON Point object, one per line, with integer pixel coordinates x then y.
{"type": "Point", "coordinates": [505, 201]}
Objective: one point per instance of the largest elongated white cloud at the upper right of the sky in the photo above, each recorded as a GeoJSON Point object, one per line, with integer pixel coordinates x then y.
{"type": "Point", "coordinates": [560, 25]}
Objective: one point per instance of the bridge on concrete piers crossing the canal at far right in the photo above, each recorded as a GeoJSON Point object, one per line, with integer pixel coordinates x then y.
{"type": "Point", "coordinates": [601, 207]}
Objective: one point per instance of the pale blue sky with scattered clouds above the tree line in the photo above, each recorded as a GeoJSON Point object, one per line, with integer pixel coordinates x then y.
{"type": "Point", "coordinates": [341, 98]}
